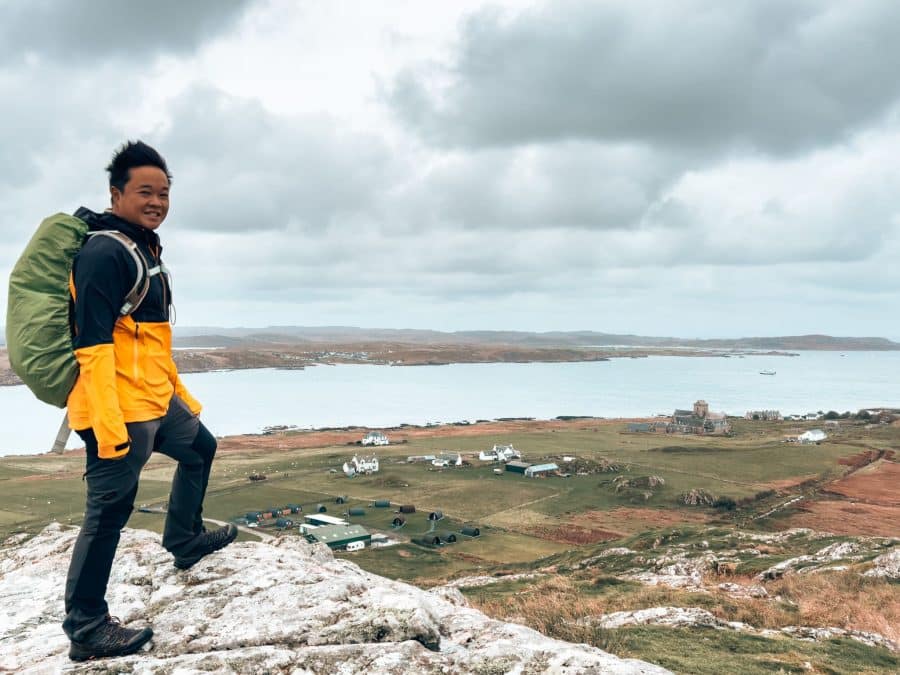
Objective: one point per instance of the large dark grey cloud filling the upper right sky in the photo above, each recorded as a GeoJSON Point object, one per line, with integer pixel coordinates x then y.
{"type": "Point", "coordinates": [780, 76]}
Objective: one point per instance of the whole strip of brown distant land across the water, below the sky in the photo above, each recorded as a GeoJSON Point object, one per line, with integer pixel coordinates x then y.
{"type": "Point", "coordinates": [296, 347]}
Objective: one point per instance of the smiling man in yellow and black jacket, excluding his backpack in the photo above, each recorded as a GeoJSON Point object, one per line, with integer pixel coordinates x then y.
{"type": "Point", "coordinates": [128, 400]}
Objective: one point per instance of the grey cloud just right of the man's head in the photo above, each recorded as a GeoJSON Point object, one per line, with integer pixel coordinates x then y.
{"type": "Point", "coordinates": [239, 167]}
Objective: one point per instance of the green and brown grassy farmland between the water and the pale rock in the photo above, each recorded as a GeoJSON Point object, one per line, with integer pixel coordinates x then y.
{"type": "Point", "coordinates": [621, 490]}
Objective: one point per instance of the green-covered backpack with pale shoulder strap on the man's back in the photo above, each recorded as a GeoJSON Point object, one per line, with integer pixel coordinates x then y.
{"type": "Point", "coordinates": [38, 323]}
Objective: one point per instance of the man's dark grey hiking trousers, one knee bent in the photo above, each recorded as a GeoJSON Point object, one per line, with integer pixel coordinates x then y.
{"type": "Point", "coordinates": [112, 485]}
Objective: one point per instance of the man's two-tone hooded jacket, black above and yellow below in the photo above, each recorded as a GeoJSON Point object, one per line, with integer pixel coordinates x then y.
{"type": "Point", "coordinates": [126, 369]}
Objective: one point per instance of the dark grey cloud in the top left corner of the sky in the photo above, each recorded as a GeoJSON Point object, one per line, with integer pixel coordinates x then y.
{"type": "Point", "coordinates": [72, 32]}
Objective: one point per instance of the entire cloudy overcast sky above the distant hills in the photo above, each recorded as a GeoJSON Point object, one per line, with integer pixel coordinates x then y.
{"type": "Point", "coordinates": [694, 169]}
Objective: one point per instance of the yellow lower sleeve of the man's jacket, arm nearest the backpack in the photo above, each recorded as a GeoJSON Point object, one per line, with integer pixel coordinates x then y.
{"type": "Point", "coordinates": [98, 372]}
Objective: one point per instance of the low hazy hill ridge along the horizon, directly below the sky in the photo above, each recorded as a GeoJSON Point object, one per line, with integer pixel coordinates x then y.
{"type": "Point", "coordinates": [228, 337]}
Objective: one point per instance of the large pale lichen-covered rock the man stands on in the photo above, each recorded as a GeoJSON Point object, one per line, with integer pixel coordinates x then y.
{"type": "Point", "coordinates": [279, 606]}
